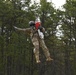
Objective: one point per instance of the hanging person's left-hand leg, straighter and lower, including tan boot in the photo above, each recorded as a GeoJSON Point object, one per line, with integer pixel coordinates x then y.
{"type": "Point", "coordinates": [36, 49]}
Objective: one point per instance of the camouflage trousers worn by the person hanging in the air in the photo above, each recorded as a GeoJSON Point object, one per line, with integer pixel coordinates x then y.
{"type": "Point", "coordinates": [40, 43]}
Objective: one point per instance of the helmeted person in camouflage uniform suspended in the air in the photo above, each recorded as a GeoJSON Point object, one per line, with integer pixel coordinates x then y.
{"type": "Point", "coordinates": [37, 41]}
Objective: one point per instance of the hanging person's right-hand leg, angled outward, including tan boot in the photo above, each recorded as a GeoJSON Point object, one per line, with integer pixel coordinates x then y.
{"type": "Point", "coordinates": [45, 49]}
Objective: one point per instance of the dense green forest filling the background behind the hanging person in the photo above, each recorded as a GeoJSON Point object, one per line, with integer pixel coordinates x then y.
{"type": "Point", "coordinates": [16, 56]}
